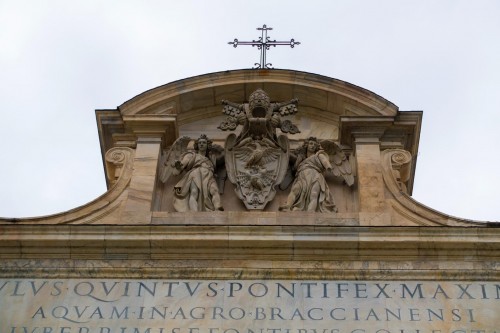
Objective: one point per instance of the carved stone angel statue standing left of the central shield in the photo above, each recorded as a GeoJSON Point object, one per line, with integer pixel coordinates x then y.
{"type": "Point", "coordinates": [198, 189]}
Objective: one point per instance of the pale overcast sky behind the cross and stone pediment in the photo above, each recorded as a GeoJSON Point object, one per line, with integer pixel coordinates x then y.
{"type": "Point", "coordinates": [61, 60]}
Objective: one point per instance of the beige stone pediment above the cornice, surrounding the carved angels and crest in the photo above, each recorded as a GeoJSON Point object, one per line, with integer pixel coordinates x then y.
{"type": "Point", "coordinates": [365, 125]}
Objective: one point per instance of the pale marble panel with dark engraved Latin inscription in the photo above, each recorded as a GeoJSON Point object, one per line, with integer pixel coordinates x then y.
{"type": "Point", "coordinates": [249, 306]}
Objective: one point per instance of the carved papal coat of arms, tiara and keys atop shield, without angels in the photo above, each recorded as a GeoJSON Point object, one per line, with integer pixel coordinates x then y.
{"type": "Point", "coordinates": [257, 159]}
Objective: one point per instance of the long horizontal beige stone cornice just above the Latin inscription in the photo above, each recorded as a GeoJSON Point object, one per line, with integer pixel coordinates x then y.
{"type": "Point", "coordinates": [206, 251]}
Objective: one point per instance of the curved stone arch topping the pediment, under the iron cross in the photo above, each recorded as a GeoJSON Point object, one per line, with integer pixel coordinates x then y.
{"type": "Point", "coordinates": [204, 93]}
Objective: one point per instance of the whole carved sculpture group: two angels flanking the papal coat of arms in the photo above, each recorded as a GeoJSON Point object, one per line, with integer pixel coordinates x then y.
{"type": "Point", "coordinates": [257, 162]}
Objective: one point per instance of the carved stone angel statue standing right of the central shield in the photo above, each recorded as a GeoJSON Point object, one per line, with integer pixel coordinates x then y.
{"type": "Point", "coordinates": [309, 190]}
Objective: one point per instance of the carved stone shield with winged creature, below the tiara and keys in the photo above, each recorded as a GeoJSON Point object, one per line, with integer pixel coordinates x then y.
{"type": "Point", "coordinates": [256, 167]}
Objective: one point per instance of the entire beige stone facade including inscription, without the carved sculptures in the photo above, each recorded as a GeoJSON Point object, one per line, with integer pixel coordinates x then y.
{"type": "Point", "coordinates": [387, 263]}
